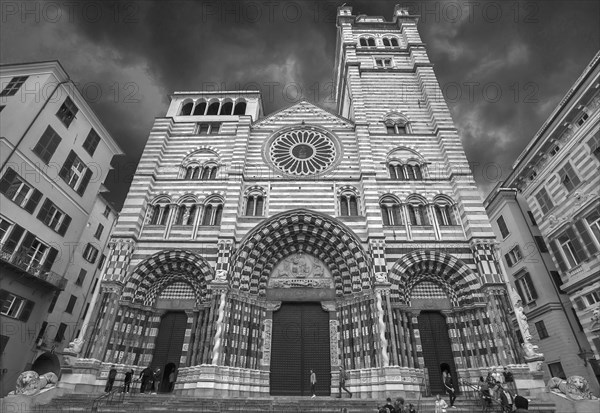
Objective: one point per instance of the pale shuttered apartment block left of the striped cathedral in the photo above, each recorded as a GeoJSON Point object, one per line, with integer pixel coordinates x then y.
{"type": "Point", "coordinates": [54, 222]}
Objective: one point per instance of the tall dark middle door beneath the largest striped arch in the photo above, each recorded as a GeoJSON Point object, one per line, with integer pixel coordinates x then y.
{"type": "Point", "coordinates": [300, 342]}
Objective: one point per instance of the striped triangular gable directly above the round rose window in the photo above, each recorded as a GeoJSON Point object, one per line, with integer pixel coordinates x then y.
{"type": "Point", "coordinates": [306, 112]}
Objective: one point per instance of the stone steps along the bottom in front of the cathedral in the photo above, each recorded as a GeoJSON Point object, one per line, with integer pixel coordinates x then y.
{"type": "Point", "coordinates": [137, 403]}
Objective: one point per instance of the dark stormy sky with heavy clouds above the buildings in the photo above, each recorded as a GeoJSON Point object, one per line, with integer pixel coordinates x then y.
{"type": "Point", "coordinates": [502, 65]}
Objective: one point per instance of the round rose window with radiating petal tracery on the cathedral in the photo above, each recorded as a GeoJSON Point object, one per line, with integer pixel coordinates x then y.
{"type": "Point", "coordinates": [302, 151]}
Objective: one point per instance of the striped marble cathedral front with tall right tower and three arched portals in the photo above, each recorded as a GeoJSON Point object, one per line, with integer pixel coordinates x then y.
{"type": "Point", "coordinates": [253, 248]}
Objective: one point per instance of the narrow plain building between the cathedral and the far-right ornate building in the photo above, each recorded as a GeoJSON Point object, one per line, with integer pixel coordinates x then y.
{"type": "Point", "coordinates": [526, 260]}
